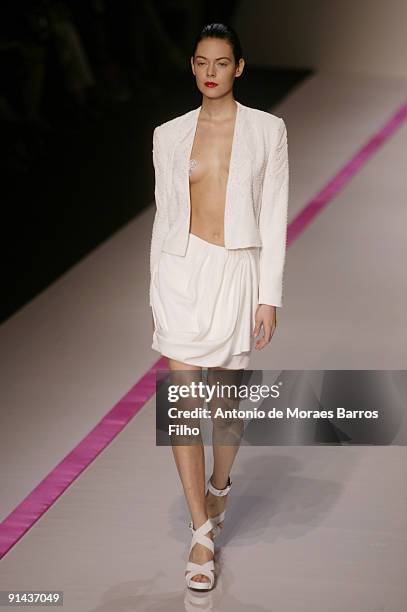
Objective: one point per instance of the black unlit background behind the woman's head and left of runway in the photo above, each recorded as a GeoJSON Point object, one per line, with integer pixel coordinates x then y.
{"type": "Point", "coordinates": [83, 83]}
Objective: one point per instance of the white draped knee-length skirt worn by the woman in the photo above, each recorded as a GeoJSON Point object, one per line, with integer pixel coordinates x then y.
{"type": "Point", "coordinates": [204, 304]}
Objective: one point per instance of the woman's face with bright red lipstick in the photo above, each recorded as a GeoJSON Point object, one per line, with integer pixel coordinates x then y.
{"type": "Point", "coordinates": [214, 63]}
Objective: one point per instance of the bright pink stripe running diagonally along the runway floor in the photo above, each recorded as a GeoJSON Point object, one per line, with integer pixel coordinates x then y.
{"type": "Point", "coordinates": [25, 515]}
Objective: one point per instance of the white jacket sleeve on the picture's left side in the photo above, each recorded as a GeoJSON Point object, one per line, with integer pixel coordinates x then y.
{"type": "Point", "coordinates": [160, 225]}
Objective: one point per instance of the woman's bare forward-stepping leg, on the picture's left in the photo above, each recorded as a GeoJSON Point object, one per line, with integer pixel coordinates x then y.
{"type": "Point", "coordinates": [190, 461]}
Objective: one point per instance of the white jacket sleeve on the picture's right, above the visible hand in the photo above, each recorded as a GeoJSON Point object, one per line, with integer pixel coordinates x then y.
{"type": "Point", "coordinates": [273, 222]}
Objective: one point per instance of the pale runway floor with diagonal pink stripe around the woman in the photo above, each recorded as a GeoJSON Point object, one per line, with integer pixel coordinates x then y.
{"type": "Point", "coordinates": [308, 528]}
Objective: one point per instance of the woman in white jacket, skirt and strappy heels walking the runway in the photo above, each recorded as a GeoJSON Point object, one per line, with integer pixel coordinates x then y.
{"type": "Point", "coordinates": [217, 256]}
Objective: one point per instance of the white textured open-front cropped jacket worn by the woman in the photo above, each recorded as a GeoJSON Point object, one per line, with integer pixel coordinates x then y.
{"type": "Point", "coordinates": [256, 194]}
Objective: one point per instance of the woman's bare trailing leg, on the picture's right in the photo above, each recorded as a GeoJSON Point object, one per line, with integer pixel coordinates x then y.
{"type": "Point", "coordinates": [227, 434]}
